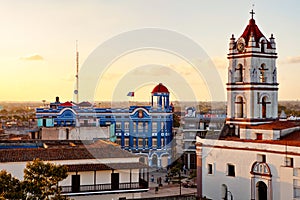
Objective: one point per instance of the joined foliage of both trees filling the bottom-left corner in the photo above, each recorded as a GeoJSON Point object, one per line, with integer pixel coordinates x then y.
{"type": "Point", "coordinates": [40, 182]}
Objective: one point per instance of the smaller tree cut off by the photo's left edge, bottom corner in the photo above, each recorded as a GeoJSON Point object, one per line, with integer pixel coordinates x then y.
{"type": "Point", "coordinates": [10, 187]}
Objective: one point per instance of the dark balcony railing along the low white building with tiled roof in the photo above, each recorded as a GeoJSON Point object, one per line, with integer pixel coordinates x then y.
{"type": "Point", "coordinates": [102, 187]}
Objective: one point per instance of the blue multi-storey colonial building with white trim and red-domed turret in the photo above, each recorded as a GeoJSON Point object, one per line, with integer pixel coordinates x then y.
{"type": "Point", "coordinates": [143, 130]}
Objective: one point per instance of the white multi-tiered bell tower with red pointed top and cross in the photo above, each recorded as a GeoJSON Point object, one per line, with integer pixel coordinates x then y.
{"type": "Point", "coordinates": [252, 88]}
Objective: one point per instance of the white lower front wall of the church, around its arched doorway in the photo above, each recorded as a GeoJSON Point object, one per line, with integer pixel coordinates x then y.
{"type": "Point", "coordinates": [242, 155]}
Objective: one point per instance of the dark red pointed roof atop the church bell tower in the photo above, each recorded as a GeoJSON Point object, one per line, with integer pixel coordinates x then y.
{"type": "Point", "coordinates": [252, 28]}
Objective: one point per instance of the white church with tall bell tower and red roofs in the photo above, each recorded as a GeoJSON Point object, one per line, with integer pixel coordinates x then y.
{"type": "Point", "coordinates": [257, 155]}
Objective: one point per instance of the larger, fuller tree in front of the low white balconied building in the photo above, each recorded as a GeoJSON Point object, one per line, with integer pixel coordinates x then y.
{"type": "Point", "coordinates": [41, 180]}
